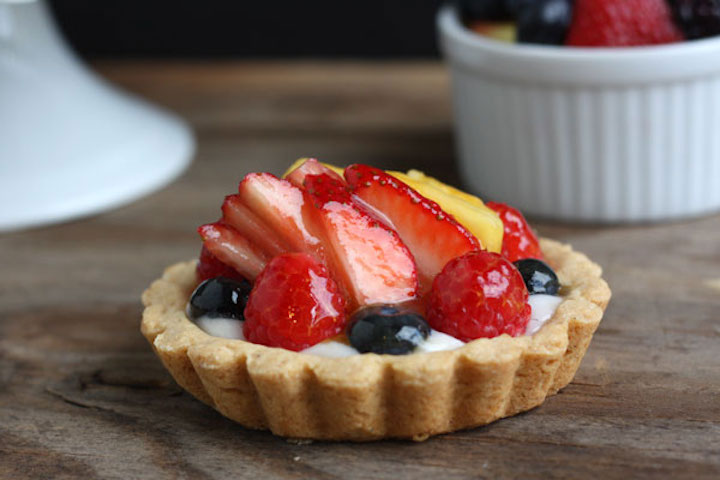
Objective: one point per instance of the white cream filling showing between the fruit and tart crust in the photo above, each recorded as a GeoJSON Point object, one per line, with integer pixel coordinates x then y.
{"type": "Point", "coordinates": [543, 308]}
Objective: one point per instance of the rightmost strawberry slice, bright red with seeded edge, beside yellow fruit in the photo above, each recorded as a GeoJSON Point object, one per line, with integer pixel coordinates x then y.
{"type": "Point", "coordinates": [433, 236]}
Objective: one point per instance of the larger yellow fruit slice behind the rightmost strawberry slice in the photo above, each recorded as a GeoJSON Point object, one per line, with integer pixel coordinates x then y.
{"type": "Point", "coordinates": [467, 209]}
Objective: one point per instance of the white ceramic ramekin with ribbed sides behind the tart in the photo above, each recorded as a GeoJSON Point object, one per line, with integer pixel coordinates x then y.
{"type": "Point", "coordinates": [608, 135]}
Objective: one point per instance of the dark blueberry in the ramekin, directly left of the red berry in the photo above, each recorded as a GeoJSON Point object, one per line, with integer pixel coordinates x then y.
{"type": "Point", "coordinates": [543, 21]}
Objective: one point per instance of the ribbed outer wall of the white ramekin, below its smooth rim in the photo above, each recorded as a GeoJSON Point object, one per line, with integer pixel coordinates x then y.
{"type": "Point", "coordinates": [591, 154]}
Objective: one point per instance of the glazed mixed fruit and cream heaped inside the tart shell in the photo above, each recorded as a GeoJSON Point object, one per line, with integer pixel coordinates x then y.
{"type": "Point", "coordinates": [368, 257]}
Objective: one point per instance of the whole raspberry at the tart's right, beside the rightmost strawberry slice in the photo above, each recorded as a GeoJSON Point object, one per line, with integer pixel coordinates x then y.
{"type": "Point", "coordinates": [479, 295]}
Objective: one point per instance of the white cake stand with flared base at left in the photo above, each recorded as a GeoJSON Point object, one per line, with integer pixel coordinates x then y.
{"type": "Point", "coordinates": [70, 144]}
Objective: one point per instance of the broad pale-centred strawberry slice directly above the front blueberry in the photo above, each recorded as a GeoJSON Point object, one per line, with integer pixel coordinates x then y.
{"type": "Point", "coordinates": [368, 257]}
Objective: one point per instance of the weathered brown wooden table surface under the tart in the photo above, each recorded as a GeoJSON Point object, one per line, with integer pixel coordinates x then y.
{"type": "Point", "coordinates": [82, 395]}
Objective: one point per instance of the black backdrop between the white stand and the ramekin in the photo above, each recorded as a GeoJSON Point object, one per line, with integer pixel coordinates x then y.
{"type": "Point", "coordinates": [249, 28]}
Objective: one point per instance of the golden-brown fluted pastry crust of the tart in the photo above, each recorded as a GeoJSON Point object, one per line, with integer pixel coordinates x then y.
{"type": "Point", "coordinates": [369, 397]}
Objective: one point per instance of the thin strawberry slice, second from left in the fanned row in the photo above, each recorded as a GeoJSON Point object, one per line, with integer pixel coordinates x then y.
{"type": "Point", "coordinates": [250, 226]}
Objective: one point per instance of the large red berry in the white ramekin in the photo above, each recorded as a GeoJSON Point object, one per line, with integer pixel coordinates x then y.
{"type": "Point", "coordinates": [622, 23]}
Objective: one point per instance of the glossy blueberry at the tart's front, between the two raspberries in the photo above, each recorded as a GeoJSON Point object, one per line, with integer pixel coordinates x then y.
{"type": "Point", "coordinates": [387, 329]}
